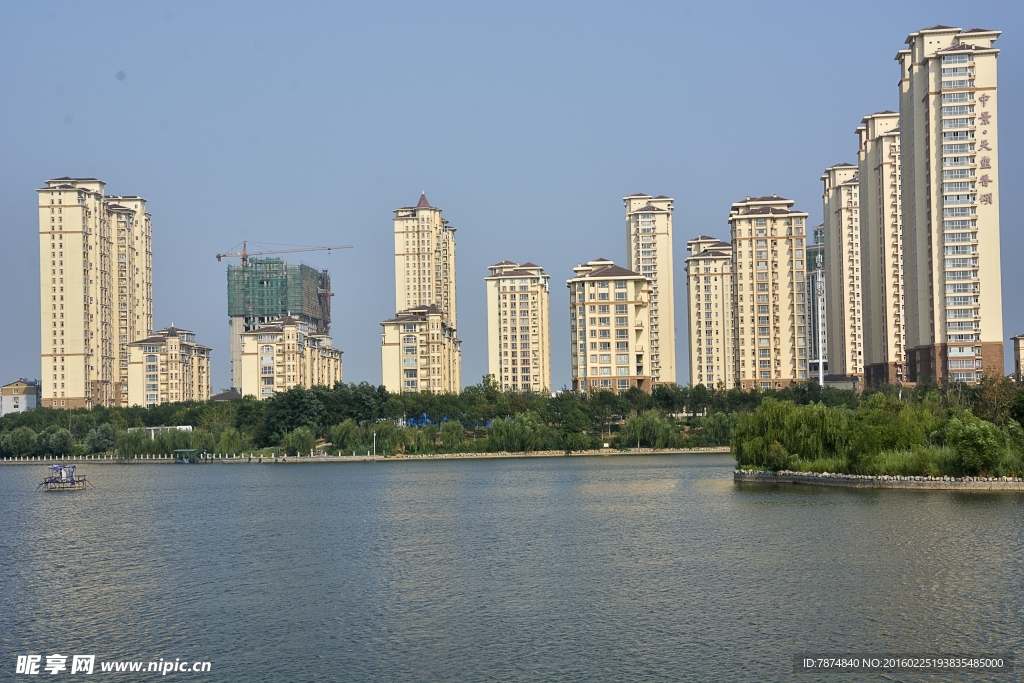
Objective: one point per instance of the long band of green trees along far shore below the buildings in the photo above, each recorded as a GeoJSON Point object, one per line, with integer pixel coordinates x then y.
{"type": "Point", "coordinates": [362, 417]}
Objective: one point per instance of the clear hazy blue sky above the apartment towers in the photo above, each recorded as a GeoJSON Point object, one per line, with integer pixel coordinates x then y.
{"type": "Point", "coordinates": [309, 123]}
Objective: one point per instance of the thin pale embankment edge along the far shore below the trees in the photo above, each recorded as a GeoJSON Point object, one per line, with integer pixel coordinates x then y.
{"type": "Point", "coordinates": [248, 460]}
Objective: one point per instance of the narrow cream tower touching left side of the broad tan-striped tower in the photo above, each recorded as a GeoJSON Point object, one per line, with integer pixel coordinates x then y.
{"type": "Point", "coordinates": [709, 297]}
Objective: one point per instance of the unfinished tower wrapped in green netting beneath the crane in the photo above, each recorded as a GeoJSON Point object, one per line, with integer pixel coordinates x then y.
{"type": "Point", "coordinates": [264, 290]}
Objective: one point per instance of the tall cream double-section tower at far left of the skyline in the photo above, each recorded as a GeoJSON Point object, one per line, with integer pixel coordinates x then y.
{"type": "Point", "coordinates": [96, 291]}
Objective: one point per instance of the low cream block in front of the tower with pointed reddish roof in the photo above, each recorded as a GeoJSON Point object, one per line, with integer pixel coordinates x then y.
{"type": "Point", "coordinates": [421, 353]}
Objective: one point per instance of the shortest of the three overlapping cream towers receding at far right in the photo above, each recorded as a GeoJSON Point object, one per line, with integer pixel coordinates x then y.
{"type": "Point", "coordinates": [842, 232]}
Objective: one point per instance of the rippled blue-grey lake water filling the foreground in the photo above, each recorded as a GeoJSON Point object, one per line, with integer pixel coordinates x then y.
{"type": "Point", "coordinates": [639, 569]}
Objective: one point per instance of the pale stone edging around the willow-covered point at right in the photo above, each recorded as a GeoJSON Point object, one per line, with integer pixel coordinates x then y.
{"type": "Point", "coordinates": [882, 482]}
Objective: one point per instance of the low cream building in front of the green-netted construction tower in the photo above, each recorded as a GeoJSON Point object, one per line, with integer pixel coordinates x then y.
{"type": "Point", "coordinates": [283, 355]}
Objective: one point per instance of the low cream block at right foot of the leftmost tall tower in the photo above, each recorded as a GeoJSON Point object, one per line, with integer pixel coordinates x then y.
{"type": "Point", "coordinates": [168, 367]}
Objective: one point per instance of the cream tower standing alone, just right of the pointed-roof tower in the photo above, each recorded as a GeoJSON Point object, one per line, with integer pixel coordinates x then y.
{"type": "Point", "coordinates": [520, 327]}
